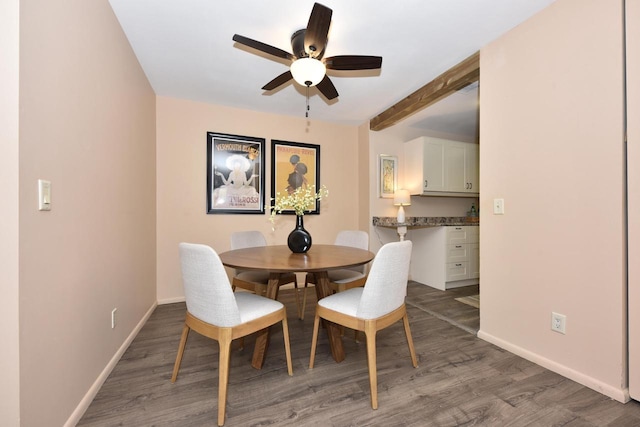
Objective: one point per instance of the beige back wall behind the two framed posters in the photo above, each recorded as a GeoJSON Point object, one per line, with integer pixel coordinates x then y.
{"type": "Point", "coordinates": [181, 166]}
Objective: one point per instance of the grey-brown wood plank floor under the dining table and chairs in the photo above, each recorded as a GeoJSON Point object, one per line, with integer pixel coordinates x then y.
{"type": "Point", "coordinates": [461, 380]}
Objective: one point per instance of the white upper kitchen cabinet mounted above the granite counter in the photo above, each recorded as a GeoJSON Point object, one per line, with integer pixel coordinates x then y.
{"type": "Point", "coordinates": [440, 167]}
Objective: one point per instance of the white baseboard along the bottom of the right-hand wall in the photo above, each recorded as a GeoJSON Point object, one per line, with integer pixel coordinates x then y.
{"type": "Point", "coordinates": [619, 394]}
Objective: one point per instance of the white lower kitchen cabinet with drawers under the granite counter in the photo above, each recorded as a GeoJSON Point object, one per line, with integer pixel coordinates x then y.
{"type": "Point", "coordinates": [446, 257]}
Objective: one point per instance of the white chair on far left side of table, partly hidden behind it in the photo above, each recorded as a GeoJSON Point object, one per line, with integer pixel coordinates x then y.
{"type": "Point", "coordinates": [256, 281]}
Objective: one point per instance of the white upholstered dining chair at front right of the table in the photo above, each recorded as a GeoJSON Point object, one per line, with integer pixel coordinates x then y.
{"type": "Point", "coordinates": [377, 305]}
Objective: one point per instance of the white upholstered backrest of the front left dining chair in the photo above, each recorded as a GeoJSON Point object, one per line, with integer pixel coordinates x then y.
{"type": "Point", "coordinates": [206, 286]}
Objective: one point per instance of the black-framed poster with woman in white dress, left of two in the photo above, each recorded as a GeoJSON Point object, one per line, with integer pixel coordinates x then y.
{"type": "Point", "coordinates": [235, 174]}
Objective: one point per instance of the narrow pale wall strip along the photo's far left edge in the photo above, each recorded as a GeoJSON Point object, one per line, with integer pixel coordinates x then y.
{"type": "Point", "coordinates": [9, 331]}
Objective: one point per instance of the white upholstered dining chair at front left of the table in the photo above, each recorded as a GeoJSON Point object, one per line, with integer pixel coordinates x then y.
{"type": "Point", "coordinates": [215, 311]}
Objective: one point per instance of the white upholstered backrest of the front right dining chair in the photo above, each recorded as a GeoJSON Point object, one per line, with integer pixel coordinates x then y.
{"type": "Point", "coordinates": [386, 285]}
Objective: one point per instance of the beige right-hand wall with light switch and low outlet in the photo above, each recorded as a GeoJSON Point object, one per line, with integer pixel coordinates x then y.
{"type": "Point", "coordinates": [551, 132]}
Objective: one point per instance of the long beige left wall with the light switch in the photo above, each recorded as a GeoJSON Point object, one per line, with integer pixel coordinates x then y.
{"type": "Point", "coordinates": [87, 124]}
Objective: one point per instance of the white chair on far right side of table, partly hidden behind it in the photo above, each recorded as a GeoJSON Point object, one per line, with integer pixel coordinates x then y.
{"type": "Point", "coordinates": [344, 278]}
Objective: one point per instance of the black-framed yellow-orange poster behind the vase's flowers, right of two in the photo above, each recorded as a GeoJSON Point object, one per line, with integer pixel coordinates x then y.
{"type": "Point", "coordinates": [294, 165]}
